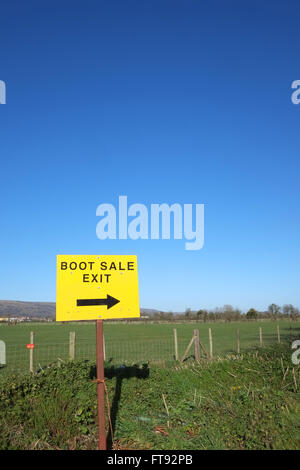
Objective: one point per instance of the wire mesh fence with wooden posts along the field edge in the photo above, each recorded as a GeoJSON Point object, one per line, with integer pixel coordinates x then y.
{"type": "Point", "coordinates": [135, 350]}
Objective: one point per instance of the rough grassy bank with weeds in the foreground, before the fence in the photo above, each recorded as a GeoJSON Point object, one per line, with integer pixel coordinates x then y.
{"type": "Point", "coordinates": [245, 402]}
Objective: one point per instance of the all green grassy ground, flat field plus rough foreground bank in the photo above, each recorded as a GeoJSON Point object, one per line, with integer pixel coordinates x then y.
{"type": "Point", "coordinates": [246, 401]}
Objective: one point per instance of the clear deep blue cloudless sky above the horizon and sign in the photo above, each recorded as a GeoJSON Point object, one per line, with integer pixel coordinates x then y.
{"type": "Point", "coordinates": [162, 101]}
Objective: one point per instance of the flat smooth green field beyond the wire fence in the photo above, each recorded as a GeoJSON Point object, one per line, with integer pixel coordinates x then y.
{"type": "Point", "coordinates": [133, 341]}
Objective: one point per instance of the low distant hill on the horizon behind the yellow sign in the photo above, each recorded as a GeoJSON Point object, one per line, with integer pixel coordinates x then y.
{"type": "Point", "coordinates": [14, 308]}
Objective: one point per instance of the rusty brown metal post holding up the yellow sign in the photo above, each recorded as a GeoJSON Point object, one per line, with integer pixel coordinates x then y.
{"type": "Point", "coordinates": [100, 385]}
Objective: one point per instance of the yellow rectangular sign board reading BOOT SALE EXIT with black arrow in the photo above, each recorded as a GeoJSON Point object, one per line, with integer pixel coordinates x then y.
{"type": "Point", "coordinates": [96, 287]}
